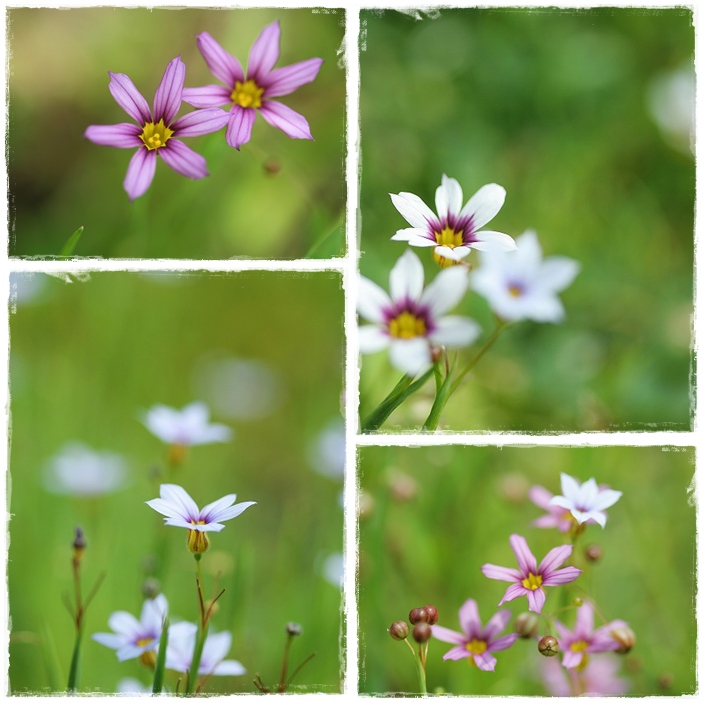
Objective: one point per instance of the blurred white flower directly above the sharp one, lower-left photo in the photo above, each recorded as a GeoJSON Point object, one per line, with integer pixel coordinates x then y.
{"type": "Point", "coordinates": [185, 427]}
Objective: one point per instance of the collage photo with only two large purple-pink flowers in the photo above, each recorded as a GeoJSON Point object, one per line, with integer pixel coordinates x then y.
{"type": "Point", "coordinates": [228, 127]}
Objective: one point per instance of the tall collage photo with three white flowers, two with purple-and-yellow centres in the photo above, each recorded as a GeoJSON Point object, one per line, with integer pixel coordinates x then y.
{"type": "Point", "coordinates": [527, 201]}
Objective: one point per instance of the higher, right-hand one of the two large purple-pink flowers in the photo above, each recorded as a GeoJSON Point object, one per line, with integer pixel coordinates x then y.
{"type": "Point", "coordinates": [253, 90]}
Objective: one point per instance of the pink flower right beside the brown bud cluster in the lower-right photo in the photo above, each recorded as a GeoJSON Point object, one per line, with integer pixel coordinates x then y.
{"type": "Point", "coordinates": [477, 642]}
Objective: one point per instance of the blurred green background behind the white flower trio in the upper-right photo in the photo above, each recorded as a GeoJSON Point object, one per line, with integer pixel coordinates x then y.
{"type": "Point", "coordinates": [557, 106]}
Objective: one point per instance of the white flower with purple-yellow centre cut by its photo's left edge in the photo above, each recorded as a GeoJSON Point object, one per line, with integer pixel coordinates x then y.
{"type": "Point", "coordinates": [408, 321]}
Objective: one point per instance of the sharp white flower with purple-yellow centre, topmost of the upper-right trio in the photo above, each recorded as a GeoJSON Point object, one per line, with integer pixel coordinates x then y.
{"type": "Point", "coordinates": [453, 231]}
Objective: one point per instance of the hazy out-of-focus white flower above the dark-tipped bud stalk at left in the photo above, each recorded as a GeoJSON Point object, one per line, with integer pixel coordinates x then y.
{"type": "Point", "coordinates": [80, 471]}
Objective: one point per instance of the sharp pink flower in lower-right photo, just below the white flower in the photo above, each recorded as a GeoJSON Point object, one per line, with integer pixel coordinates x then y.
{"type": "Point", "coordinates": [529, 579]}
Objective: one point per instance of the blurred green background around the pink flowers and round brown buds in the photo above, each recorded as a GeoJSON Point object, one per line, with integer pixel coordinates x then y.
{"type": "Point", "coordinates": [431, 517]}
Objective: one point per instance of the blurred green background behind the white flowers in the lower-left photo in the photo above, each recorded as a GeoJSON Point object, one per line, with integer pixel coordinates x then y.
{"type": "Point", "coordinates": [86, 359]}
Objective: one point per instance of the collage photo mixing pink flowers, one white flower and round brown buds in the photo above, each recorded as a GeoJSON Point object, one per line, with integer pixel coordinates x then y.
{"type": "Point", "coordinates": [540, 571]}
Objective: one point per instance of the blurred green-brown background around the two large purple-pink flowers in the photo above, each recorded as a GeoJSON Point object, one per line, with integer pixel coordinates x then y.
{"type": "Point", "coordinates": [278, 198]}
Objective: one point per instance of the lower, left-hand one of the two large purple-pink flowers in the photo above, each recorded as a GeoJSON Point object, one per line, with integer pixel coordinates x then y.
{"type": "Point", "coordinates": [156, 132]}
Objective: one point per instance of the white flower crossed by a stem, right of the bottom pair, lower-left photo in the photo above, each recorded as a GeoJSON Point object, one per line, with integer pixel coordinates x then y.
{"type": "Point", "coordinates": [181, 643]}
